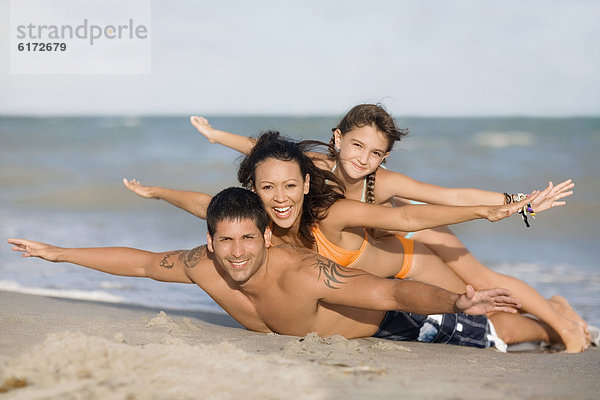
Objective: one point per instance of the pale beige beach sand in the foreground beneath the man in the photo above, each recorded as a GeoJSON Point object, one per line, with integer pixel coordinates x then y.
{"type": "Point", "coordinates": [67, 349]}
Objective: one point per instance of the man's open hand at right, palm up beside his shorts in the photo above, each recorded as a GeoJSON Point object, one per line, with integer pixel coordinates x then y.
{"type": "Point", "coordinates": [485, 301]}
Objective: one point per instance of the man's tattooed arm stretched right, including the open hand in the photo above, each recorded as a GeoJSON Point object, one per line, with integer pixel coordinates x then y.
{"type": "Point", "coordinates": [335, 284]}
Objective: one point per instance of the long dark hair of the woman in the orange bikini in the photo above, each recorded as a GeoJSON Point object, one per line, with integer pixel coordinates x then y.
{"type": "Point", "coordinates": [325, 187]}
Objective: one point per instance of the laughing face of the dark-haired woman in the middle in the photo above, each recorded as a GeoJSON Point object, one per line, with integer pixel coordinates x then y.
{"type": "Point", "coordinates": [281, 187]}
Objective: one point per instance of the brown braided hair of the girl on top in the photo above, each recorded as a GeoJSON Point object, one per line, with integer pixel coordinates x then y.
{"type": "Point", "coordinates": [369, 115]}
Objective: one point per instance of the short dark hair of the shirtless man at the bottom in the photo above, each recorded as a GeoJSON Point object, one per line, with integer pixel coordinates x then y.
{"type": "Point", "coordinates": [235, 204]}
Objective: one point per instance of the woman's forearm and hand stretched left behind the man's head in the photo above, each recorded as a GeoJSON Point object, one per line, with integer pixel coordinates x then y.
{"type": "Point", "coordinates": [193, 202]}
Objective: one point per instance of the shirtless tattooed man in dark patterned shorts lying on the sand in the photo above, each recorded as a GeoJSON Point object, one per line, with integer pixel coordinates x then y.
{"type": "Point", "coordinates": [289, 291]}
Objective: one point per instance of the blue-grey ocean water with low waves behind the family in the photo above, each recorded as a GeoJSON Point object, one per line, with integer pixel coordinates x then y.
{"type": "Point", "coordinates": [61, 178]}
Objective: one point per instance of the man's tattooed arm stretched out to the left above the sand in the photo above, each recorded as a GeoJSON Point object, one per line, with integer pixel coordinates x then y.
{"type": "Point", "coordinates": [168, 266]}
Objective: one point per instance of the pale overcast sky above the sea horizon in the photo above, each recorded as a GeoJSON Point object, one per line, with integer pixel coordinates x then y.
{"type": "Point", "coordinates": [447, 57]}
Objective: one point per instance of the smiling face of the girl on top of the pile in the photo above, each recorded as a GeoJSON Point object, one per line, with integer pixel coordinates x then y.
{"type": "Point", "coordinates": [361, 151]}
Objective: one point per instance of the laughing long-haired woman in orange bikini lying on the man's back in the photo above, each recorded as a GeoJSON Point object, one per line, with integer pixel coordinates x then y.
{"type": "Point", "coordinates": [308, 212]}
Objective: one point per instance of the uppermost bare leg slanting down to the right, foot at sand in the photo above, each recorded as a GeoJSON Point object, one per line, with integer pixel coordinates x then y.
{"type": "Point", "coordinates": [451, 250]}
